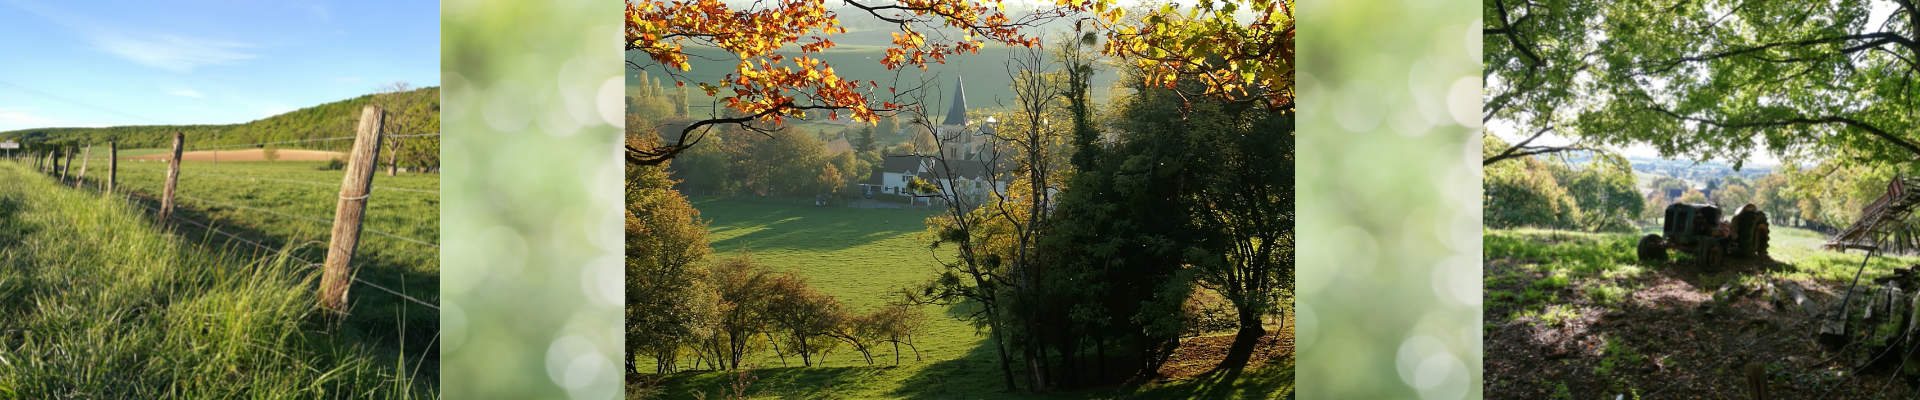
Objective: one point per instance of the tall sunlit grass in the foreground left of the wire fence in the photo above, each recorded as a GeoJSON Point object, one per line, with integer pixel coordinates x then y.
{"type": "Point", "coordinates": [99, 303]}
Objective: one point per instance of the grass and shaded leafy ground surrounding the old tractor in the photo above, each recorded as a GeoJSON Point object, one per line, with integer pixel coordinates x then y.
{"type": "Point", "coordinates": [1581, 314]}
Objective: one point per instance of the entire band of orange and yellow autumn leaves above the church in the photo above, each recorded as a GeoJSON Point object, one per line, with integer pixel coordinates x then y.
{"type": "Point", "coordinates": [1236, 59]}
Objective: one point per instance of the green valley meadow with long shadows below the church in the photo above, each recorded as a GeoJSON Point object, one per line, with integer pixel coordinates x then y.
{"type": "Point", "coordinates": [859, 257]}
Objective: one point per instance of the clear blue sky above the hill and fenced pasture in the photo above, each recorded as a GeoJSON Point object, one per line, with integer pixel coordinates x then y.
{"type": "Point", "coordinates": [103, 64]}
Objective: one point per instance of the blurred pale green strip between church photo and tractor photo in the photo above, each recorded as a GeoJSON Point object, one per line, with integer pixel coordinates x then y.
{"type": "Point", "coordinates": [1391, 199]}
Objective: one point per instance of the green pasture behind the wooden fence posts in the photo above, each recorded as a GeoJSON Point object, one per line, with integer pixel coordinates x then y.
{"type": "Point", "coordinates": [293, 209]}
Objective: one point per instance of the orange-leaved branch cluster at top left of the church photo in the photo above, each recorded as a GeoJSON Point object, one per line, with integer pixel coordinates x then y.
{"type": "Point", "coordinates": [769, 87]}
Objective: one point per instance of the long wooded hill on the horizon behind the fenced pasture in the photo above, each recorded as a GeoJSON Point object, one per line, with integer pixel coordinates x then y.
{"type": "Point", "coordinates": [316, 122]}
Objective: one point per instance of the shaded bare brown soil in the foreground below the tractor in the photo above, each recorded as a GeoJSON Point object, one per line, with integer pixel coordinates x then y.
{"type": "Point", "coordinates": [1691, 345]}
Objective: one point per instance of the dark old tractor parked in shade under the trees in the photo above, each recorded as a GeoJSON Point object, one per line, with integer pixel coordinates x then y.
{"type": "Point", "coordinates": [1698, 230]}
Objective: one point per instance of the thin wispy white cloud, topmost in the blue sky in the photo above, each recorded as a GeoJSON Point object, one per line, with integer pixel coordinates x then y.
{"type": "Point", "coordinates": [164, 51]}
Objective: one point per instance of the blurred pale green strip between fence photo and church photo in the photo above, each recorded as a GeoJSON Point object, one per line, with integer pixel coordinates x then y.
{"type": "Point", "coordinates": [531, 270]}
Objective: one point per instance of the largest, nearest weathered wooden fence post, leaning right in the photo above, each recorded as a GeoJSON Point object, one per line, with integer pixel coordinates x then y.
{"type": "Point", "coordinates": [354, 191]}
